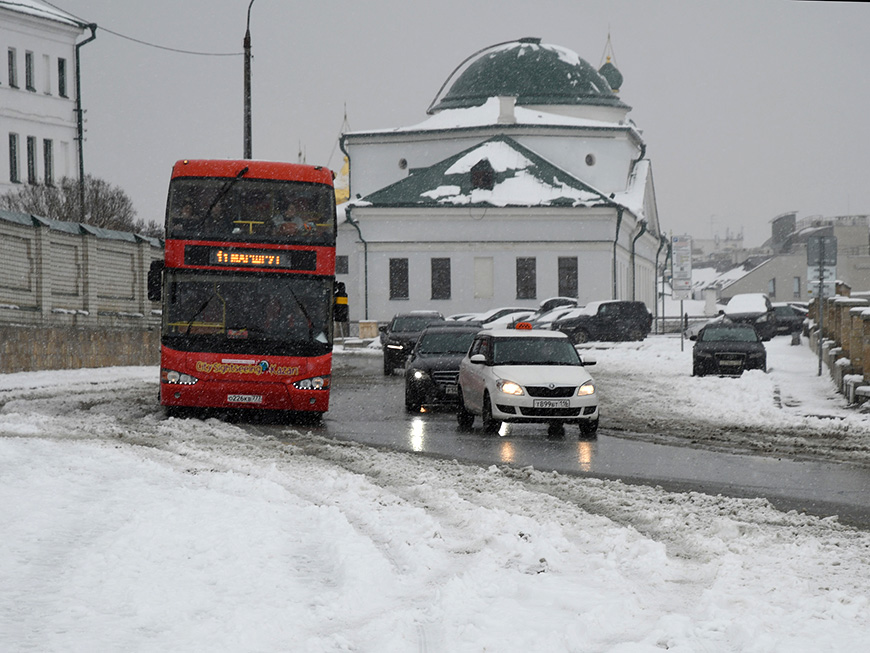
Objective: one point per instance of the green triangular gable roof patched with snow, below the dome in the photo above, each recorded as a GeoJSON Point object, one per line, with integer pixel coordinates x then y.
{"type": "Point", "coordinates": [515, 176]}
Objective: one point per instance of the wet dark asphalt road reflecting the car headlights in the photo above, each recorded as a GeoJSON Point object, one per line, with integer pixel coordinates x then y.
{"type": "Point", "coordinates": [368, 407]}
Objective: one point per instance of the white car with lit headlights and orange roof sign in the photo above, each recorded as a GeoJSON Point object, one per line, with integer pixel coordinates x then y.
{"type": "Point", "coordinates": [523, 375]}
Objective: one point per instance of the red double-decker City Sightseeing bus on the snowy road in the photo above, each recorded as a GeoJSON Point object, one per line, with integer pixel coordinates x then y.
{"type": "Point", "coordinates": [248, 287]}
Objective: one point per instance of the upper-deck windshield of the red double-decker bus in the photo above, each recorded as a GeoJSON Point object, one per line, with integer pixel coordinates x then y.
{"type": "Point", "coordinates": [250, 210]}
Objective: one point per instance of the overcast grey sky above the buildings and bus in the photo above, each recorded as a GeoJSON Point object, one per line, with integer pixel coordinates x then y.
{"type": "Point", "coordinates": [749, 108]}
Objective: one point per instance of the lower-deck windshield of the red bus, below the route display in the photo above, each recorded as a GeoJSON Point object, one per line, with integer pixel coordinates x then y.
{"type": "Point", "coordinates": [280, 315]}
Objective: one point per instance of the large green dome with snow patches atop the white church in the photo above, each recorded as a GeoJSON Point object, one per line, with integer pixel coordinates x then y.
{"type": "Point", "coordinates": [534, 73]}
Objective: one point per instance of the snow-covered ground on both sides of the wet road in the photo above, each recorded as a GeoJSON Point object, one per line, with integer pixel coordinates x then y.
{"type": "Point", "coordinates": [126, 531]}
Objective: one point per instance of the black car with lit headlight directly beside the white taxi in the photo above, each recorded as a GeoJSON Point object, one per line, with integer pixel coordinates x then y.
{"type": "Point", "coordinates": [433, 370]}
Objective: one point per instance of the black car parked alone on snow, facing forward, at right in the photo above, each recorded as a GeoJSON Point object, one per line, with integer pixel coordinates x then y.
{"type": "Point", "coordinates": [728, 348]}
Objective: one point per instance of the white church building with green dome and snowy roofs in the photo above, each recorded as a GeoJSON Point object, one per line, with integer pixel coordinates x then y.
{"type": "Point", "coordinates": [527, 181]}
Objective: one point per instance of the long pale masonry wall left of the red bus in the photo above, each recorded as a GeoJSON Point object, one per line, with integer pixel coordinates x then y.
{"type": "Point", "coordinates": [73, 296]}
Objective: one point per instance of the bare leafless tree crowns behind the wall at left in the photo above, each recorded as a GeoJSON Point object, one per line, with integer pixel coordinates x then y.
{"type": "Point", "coordinates": [106, 206]}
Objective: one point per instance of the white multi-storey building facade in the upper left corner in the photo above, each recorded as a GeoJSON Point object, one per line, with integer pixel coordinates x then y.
{"type": "Point", "coordinates": [37, 95]}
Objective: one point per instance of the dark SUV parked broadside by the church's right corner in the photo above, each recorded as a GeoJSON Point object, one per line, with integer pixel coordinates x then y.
{"type": "Point", "coordinates": [606, 320]}
